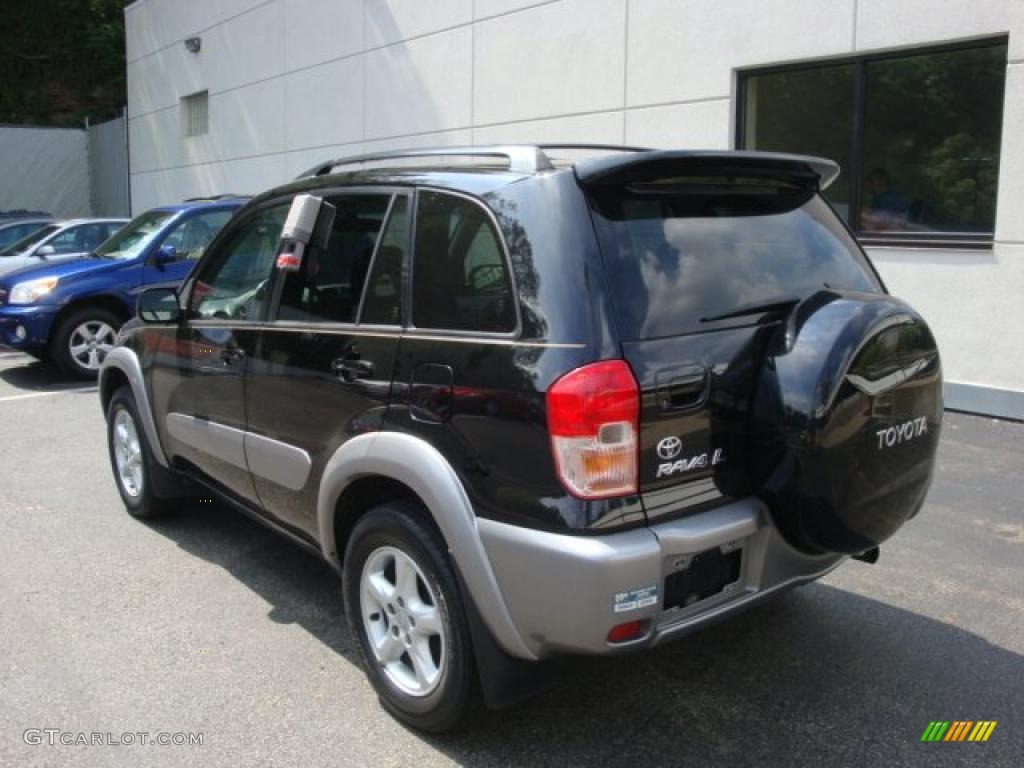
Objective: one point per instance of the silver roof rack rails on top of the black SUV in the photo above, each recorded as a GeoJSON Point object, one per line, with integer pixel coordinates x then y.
{"type": "Point", "coordinates": [516, 158]}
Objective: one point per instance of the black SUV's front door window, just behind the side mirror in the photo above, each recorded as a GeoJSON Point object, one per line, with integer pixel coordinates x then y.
{"type": "Point", "coordinates": [235, 283]}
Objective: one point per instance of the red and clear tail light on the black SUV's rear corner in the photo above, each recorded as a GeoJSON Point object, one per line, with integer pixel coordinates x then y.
{"type": "Point", "coordinates": [592, 417]}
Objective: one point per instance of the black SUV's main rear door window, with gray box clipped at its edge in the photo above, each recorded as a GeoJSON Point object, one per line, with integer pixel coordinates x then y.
{"type": "Point", "coordinates": [328, 286]}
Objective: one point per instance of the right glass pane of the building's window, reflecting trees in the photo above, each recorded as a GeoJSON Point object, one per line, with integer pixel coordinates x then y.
{"type": "Point", "coordinates": [932, 132]}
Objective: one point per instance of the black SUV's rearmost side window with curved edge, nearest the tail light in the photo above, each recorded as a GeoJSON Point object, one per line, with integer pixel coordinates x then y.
{"type": "Point", "coordinates": [460, 276]}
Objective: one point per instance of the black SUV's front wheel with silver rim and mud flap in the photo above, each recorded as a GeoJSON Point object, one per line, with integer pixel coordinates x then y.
{"type": "Point", "coordinates": [137, 474]}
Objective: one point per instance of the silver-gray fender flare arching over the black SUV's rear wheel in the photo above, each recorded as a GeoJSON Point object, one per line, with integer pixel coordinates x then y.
{"type": "Point", "coordinates": [418, 465]}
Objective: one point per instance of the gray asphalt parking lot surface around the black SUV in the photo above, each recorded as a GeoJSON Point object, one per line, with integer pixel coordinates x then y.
{"type": "Point", "coordinates": [207, 623]}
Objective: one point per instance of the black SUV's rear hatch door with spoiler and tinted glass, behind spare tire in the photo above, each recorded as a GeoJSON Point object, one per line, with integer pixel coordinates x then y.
{"type": "Point", "coordinates": [705, 254]}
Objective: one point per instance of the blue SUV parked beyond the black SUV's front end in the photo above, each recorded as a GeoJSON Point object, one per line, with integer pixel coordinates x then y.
{"type": "Point", "coordinates": [71, 312]}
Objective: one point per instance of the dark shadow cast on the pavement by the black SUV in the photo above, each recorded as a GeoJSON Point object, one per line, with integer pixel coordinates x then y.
{"type": "Point", "coordinates": [820, 676]}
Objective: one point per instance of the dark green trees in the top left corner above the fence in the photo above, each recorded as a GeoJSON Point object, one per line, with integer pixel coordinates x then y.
{"type": "Point", "coordinates": [62, 61]}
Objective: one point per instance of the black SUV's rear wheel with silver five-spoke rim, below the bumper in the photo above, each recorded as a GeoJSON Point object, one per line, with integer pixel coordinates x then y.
{"type": "Point", "coordinates": [405, 608]}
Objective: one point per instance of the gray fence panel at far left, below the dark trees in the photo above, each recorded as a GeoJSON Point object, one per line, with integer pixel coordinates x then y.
{"type": "Point", "coordinates": [46, 169]}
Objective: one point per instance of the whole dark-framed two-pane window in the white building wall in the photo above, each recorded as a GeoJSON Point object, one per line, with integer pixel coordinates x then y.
{"type": "Point", "coordinates": [917, 135]}
